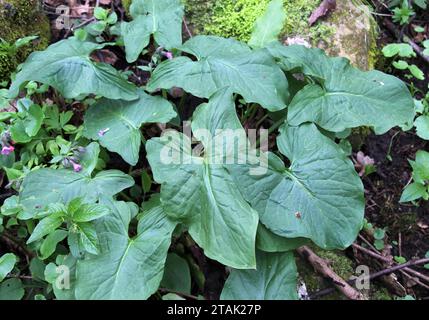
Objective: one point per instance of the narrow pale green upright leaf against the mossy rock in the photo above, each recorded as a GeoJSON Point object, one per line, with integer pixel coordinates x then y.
{"type": "Point", "coordinates": [268, 27]}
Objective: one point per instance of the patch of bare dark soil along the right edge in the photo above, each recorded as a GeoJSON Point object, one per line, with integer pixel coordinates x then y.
{"type": "Point", "coordinates": [384, 189]}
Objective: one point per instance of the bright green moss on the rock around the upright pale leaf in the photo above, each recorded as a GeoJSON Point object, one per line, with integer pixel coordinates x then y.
{"type": "Point", "coordinates": [235, 18]}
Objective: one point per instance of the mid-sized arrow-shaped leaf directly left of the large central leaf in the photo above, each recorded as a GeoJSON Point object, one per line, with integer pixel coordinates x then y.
{"type": "Point", "coordinates": [116, 123]}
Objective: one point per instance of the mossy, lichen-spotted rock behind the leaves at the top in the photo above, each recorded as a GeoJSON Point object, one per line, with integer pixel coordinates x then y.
{"type": "Point", "coordinates": [349, 31]}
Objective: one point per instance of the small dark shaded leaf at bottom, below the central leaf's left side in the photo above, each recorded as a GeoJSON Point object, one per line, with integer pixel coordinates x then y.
{"type": "Point", "coordinates": [177, 276]}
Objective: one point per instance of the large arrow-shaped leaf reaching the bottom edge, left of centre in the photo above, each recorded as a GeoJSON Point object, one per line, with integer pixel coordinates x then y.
{"type": "Point", "coordinates": [126, 268]}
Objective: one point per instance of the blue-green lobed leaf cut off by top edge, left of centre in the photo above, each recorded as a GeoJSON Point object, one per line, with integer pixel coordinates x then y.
{"type": "Point", "coordinates": [162, 18]}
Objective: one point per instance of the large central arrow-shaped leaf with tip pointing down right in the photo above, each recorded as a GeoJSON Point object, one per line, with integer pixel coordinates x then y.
{"type": "Point", "coordinates": [201, 192]}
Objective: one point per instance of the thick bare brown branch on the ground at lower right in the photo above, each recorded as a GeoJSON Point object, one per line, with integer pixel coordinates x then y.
{"type": "Point", "coordinates": [322, 267]}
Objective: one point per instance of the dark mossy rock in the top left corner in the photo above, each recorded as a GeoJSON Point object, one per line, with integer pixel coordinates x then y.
{"type": "Point", "coordinates": [18, 19]}
